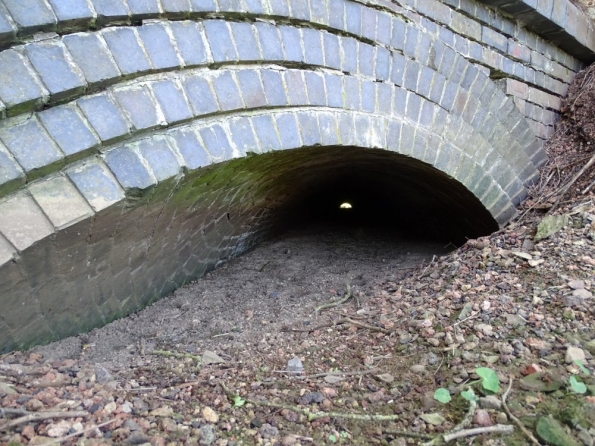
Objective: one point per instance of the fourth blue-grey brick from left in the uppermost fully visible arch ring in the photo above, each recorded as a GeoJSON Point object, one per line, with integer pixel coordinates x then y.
{"type": "Point", "coordinates": [127, 51]}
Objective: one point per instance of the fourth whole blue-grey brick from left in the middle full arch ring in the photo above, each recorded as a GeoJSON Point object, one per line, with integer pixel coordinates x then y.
{"type": "Point", "coordinates": [139, 107]}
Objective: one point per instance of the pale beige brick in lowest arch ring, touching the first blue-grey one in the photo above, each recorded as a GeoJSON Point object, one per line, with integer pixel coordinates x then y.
{"type": "Point", "coordinates": [60, 201]}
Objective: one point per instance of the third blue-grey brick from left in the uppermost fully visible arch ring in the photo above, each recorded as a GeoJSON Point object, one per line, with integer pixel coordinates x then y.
{"type": "Point", "coordinates": [93, 58]}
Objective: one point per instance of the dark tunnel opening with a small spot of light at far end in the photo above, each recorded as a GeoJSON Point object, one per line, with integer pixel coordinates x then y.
{"type": "Point", "coordinates": [350, 188]}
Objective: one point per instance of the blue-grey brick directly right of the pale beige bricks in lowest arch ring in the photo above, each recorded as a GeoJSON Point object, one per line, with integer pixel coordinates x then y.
{"type": "Point", "coordinates": [97, 184]}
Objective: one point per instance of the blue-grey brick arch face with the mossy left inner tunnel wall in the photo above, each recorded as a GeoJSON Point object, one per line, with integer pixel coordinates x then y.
{"type": "Point", "coordinates": [142, 142]}
